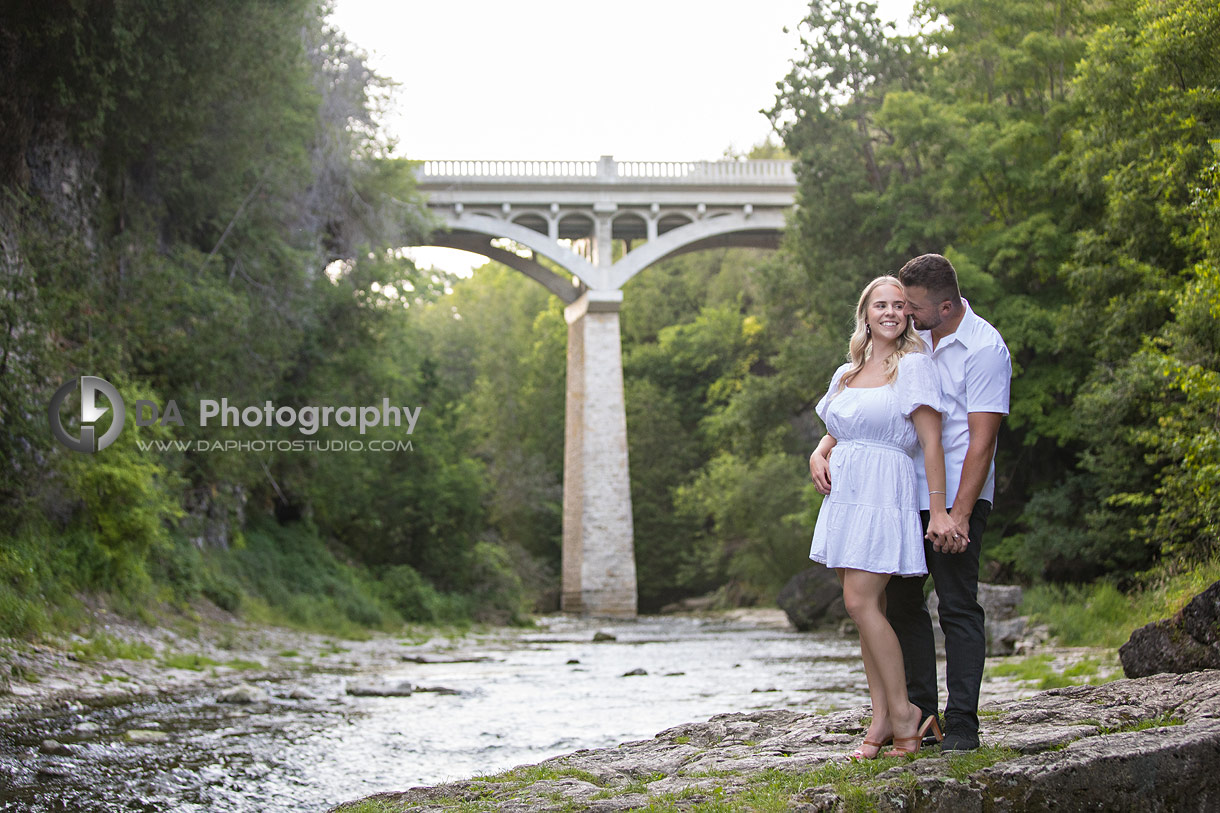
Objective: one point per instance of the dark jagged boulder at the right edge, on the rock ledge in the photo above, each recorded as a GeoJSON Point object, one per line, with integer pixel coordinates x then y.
{"type": "Point", "coordinates": [1186, 643]}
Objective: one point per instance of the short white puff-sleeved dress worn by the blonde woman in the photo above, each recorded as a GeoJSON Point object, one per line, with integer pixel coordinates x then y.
{"type": "Point", "coordinates": [870, 521]}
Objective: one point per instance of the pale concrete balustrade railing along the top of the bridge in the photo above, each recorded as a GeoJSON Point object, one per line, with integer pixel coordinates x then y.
{"type": "Point", "coordinates": [608, 170]}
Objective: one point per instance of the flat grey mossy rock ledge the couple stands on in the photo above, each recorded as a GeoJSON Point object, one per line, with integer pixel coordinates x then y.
{"type": "Point", "coordinates": [1151, 744]}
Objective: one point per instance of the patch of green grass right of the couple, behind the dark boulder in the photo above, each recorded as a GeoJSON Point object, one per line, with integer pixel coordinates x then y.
{"type": "Point", "coordinates": [1100, 616]}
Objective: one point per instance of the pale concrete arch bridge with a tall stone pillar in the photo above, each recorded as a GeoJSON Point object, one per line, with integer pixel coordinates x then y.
{"type": "Point", "coordinates": [550, 218]}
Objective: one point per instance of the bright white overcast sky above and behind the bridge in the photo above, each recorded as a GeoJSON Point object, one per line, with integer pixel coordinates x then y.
{"type": "Point", "coordinates": [573, 80]}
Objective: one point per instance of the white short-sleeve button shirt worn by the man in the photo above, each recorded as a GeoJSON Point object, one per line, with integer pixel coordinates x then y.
{"type": "Point", "coordinates": [977, 373]}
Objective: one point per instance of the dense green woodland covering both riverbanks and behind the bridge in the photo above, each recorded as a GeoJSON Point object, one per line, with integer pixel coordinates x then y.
{"type": "Point", "coordinates": [234, 229]}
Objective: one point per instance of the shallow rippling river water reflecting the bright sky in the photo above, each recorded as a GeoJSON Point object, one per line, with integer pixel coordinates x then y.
{"type": "Point", "coordinates": [539, 694]}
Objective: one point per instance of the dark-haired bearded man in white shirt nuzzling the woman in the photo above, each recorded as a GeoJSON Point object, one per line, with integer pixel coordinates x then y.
{"type": "Point", "coordinates": [975, 373]}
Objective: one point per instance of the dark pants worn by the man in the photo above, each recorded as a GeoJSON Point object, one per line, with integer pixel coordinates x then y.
{"type": "Point", "coordinates": [956, 577]}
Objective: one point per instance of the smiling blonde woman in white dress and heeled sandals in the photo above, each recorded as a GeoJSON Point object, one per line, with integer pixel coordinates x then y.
{"type": "Point", "coordinates": [881, 407]}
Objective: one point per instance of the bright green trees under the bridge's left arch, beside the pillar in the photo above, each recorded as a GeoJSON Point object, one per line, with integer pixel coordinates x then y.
{"type": "Point", "coordinates": [496, 363]}
